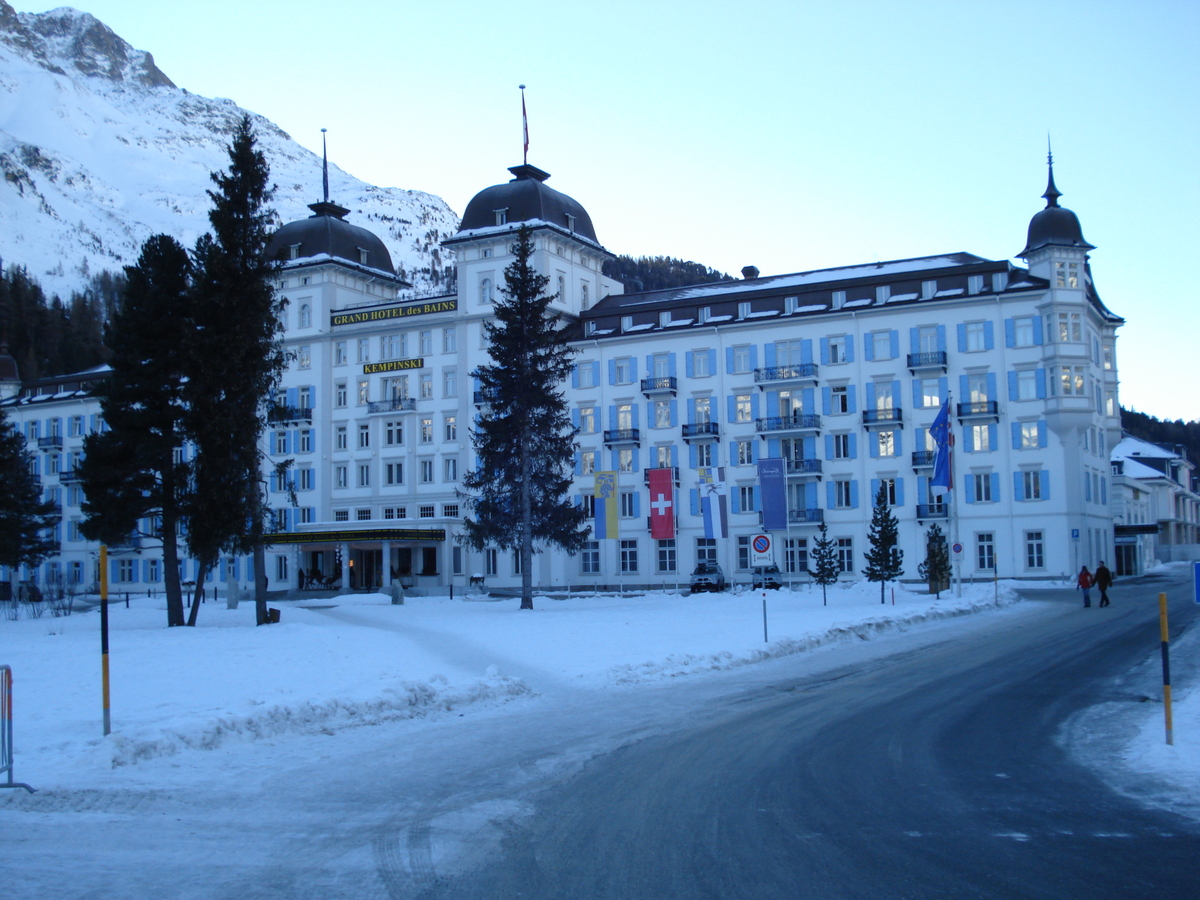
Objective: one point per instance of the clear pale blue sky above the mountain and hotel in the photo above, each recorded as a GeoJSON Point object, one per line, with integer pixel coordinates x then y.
{"type": "Point", "coordinates": [790, 136]}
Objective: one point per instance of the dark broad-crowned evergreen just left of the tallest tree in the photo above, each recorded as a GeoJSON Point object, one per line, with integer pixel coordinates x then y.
{"type": "Point", "coordinates": [130, 471]}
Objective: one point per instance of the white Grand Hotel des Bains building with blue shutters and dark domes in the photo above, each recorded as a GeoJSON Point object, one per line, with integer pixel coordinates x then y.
{"type": "Point", "coordinates": [838, 371]}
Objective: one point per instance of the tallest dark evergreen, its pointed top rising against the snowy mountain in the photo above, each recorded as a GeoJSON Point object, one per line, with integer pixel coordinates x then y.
{"type": "Point", "coordinates": [236, 364]}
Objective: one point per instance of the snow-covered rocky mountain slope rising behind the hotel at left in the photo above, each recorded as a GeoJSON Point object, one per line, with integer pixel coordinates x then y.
{"type": "Point", "coordinates": [100, 151]}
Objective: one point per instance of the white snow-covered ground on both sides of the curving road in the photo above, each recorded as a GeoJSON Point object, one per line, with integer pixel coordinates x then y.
{"type": "Point", "coordinates": [338, 663]}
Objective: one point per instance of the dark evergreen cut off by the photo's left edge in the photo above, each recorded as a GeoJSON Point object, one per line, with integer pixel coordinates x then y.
{"type": "Point", "coordinates": [25, 515]}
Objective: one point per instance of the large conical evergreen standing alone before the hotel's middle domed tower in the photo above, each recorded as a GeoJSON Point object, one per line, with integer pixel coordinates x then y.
{"type": "Point", "coordinates": [524, 439]}
